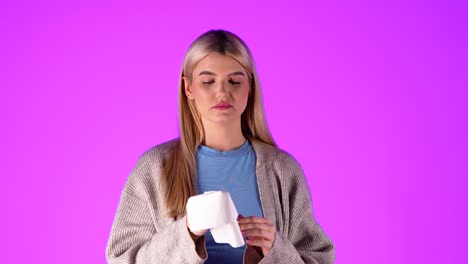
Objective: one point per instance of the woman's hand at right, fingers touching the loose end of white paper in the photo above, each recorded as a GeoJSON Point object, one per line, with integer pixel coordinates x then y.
{"type": "Point", "coordinates": [259, 232]}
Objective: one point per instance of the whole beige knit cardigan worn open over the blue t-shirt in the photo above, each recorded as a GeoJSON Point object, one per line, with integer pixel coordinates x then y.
{"type": "Point", "coordinates": [142, 234]}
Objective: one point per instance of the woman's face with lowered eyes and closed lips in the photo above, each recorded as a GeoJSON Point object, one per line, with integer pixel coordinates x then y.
{"type": "Point", "coordinates": [220, 89]}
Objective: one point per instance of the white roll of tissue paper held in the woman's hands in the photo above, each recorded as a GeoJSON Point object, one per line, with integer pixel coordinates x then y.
{"type": "Point", "coordinates": [215, 211]}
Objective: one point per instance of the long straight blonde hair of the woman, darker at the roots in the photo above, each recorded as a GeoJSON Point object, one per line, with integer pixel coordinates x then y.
{"type": "Point", "coordinates": [179, 177]}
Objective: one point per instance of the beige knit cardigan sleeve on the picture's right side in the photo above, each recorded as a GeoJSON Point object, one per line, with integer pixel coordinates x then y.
{"type": "Point", "coordinates": [304, 241]}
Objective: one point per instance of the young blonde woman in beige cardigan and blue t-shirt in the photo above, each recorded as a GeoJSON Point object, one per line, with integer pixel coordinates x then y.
{"type": "Point", "coordinates": [224, 145]}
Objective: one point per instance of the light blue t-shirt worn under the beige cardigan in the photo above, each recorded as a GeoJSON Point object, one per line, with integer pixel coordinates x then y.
{"type": "Point", "coordinates": [234, 172]}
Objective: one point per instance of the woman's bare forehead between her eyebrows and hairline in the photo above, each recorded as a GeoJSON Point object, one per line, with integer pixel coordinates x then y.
{"type": "Point", "coordinates": [219, 64]}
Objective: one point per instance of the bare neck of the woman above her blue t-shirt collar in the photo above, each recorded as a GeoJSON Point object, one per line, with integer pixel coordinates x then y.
{"type": "Point", "coordinates": [223, 137]}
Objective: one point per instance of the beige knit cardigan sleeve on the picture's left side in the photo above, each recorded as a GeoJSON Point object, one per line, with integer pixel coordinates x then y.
{"type": "Point", "coordinates": [136, 239]}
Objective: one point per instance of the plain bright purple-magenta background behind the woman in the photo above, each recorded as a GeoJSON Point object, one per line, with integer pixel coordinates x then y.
{"type": "Point", "coordinates": [370, 97]}
